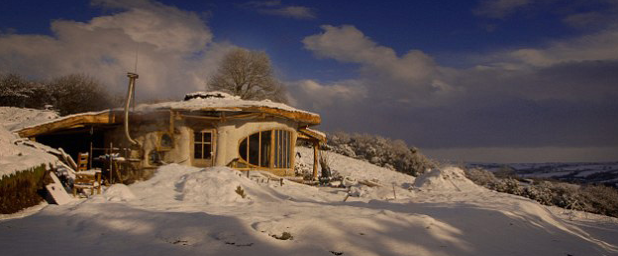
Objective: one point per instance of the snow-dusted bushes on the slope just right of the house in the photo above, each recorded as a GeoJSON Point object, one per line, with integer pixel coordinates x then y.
{"type": "Point", "coordinates": [392, 154]}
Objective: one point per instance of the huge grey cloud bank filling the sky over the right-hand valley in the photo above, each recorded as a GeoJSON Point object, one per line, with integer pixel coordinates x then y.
{"type": "Point", "coordinates": [534, 97]}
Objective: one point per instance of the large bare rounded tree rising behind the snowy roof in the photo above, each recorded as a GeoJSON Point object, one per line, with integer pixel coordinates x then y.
{"type": "Point", "coordinates": [247, 74]}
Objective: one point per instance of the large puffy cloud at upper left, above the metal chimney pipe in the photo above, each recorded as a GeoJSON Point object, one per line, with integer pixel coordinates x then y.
{"type": "Point", "coordinates": [175, 49]}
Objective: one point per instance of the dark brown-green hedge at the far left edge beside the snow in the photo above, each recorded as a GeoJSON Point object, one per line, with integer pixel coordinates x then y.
{"type": "Point", "coordinates": [21, 189]}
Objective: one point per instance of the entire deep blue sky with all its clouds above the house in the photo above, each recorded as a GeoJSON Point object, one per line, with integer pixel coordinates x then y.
{"type": "Point", "coordinates": [483, 80]}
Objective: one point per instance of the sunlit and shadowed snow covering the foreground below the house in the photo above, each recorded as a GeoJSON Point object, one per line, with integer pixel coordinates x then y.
{"type": "Point", "coordinates": [219, 211]}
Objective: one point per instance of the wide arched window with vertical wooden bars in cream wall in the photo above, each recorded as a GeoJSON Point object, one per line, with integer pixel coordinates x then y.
{"type": "Point", "coordinates": [269, 149]}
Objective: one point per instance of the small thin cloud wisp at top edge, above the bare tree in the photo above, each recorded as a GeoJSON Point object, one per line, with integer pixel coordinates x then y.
{"type": "Point", "coordinates": [278, 9]}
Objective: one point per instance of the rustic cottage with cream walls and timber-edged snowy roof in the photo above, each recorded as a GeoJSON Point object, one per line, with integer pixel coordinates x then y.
{"type": "Point", "coordinates": [165, 132]}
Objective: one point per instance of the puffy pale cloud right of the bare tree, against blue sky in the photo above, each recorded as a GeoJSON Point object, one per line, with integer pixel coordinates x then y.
{"type": "Point", "coordinates": [406, 75]}
